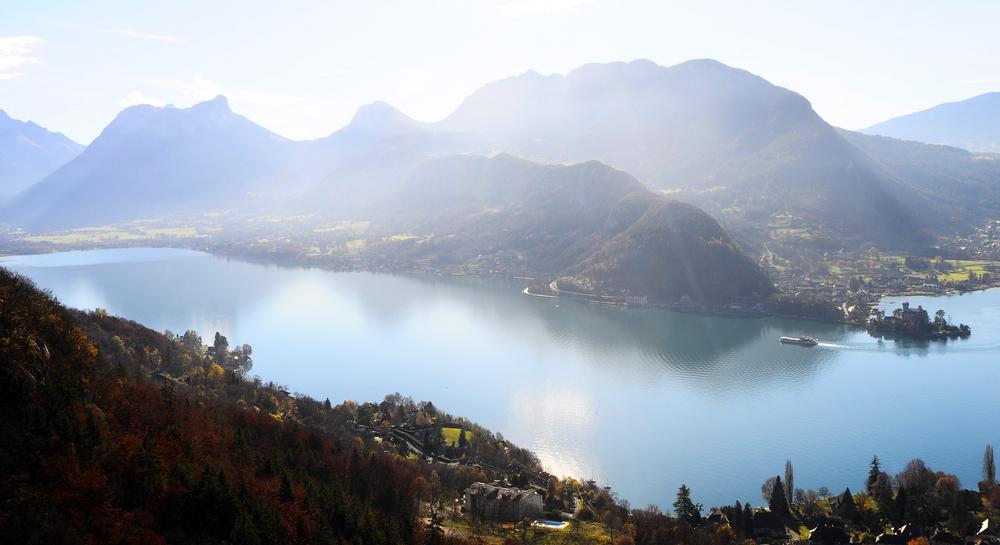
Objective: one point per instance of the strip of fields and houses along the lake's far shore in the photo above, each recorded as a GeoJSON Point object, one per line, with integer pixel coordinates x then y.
{"type": "Point", "coordinates": [838, 287]}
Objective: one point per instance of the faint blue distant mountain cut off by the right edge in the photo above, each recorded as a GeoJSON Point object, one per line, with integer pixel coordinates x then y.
{"type": "Point", "coordinates": [972, 124]}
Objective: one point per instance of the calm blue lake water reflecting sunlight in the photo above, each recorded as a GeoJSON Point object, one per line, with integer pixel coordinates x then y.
{"type": "Point", "coordinates": [643, 400]}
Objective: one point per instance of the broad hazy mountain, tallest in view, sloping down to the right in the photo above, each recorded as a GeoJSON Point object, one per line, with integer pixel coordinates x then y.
{"type": "Point", "coordinates": [734, 143]}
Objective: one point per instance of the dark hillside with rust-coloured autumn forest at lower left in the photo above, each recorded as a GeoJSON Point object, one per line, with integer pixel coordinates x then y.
{"type": "Point", "coordinates": [113, 433]}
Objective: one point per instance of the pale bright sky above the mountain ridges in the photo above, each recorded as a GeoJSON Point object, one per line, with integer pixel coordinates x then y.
{"type": "Point", "coordinates": [302, 68]}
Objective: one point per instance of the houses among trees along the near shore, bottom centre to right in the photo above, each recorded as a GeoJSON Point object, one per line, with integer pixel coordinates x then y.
{"type": "Point", "coordinates": [511, 499]}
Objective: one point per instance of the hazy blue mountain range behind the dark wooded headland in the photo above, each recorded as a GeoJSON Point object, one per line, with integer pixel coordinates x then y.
{"type": "Point", "coordinates": [755, 156]}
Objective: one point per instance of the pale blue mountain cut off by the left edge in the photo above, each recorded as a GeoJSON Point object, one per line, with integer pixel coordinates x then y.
{"type": "Point", "coordinates": [28, 153]}
